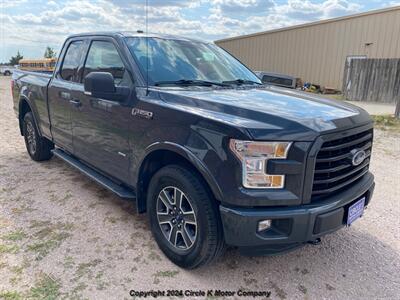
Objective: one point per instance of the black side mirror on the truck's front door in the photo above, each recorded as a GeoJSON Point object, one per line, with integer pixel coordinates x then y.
{"type": "Point", "coordinates": [101, 85]}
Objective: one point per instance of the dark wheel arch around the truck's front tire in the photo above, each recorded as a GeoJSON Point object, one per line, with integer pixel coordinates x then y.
{"type": "Point", "coordinates": [159, 155]}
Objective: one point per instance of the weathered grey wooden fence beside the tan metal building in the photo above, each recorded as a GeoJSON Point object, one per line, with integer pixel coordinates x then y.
{"type": "Point", "coordinates": [372, 79]}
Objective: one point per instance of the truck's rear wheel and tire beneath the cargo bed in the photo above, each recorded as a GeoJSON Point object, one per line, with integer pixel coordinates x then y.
{"type": "Point", "coordinates": [39, 148]}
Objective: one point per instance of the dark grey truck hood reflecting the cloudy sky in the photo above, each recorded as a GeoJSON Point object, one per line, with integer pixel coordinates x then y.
{"type": "Point", "coordinates": [269, 112]}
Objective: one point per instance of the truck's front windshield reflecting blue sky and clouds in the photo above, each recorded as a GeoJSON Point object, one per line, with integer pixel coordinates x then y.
{"type": "Point", "coordinates": [183, 62]}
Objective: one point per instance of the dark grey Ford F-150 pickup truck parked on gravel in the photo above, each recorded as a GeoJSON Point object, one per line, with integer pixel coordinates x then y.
{"type": "Point", "coordinates": [213, 156]}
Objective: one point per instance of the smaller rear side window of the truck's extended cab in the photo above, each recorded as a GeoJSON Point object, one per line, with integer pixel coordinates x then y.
{"type": "Point", "coordinates": [71, 61]}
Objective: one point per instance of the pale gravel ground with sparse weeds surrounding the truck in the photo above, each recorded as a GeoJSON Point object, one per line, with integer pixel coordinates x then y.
{"type": "Point", "coordinates": [63, 236]}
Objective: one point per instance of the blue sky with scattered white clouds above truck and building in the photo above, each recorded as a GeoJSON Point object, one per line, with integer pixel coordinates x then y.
{"type": "Point", "coordinates": [30, 25]}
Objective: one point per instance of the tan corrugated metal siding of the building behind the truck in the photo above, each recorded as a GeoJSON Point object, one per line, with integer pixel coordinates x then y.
{"type": "Point", "coordinates": [317, 52]}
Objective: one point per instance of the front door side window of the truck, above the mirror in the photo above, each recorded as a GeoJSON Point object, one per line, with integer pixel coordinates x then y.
{"type": "Point", "coordinates": [104, 57]}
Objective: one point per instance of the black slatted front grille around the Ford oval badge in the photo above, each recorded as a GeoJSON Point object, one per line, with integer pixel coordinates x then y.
{"type": "Point", "coordinates": [334, 169]}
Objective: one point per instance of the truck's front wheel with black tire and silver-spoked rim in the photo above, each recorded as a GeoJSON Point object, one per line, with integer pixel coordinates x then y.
{"type": "Point", "coordinates": [184, 217]}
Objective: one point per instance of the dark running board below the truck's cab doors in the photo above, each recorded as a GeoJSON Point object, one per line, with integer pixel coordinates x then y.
{"type": "Point", "coordinates": [94, 175]}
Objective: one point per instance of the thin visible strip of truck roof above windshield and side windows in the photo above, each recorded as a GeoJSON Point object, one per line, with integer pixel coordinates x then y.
{"type": "Point", "coordinates": [136, 34]}
